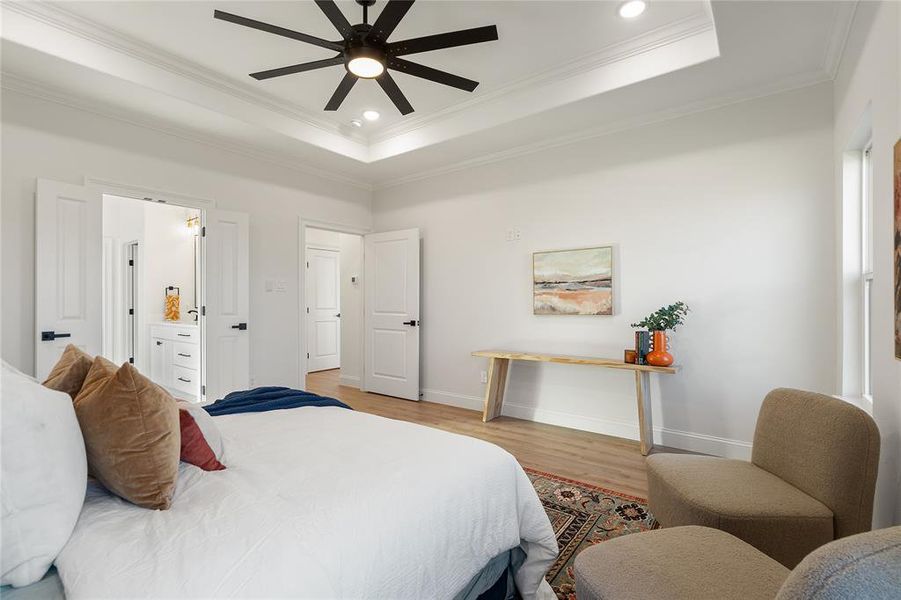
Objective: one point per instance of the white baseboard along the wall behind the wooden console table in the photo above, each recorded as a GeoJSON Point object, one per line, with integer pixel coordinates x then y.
{"type": "Point", "coordinates": [663, 436]}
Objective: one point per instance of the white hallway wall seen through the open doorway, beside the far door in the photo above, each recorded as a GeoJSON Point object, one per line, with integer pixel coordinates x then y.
{"type": "Point", "coordinates": [350, 247]}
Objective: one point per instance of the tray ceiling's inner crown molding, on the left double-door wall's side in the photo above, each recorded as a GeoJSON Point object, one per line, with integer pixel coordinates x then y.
{"type": "Point", "coordinates": [69, 22]}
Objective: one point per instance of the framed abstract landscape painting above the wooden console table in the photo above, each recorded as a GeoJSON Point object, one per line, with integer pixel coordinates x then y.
{"type": "Point", "coordinates": [573, 282]}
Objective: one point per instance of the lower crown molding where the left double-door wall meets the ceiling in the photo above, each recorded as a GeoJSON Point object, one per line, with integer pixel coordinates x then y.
{"type": "Point", "coordinates": [21, 85]}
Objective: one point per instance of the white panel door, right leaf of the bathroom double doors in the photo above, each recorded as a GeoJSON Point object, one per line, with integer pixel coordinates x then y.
{"type": "Point", "coordinates": [226, 293]}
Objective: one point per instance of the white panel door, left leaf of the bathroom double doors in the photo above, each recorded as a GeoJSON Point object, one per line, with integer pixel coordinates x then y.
{"type": "Point", "coordinates": [68, 265]}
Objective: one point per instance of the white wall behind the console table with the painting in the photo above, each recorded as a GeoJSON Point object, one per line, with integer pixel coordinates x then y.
{"type": "Point", "coordinates": [729, 210]}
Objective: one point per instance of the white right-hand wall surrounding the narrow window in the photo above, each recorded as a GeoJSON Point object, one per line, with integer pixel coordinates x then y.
{"type": "Point", "coordinates": [868, 82]}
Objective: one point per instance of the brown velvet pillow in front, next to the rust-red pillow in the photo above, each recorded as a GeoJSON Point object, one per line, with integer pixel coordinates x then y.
{"type": "Point", "coordinates": [131, 433]}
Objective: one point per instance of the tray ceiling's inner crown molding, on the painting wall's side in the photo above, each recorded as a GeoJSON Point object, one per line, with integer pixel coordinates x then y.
{"type": "Point", "coordinates": [695, 24]}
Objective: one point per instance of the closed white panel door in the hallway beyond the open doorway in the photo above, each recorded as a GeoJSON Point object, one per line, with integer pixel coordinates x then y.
{"type": "Point", "coordinates": [323, 309]}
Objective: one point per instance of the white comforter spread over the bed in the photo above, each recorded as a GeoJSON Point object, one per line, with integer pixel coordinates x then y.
{"type": "Point", "coordinates": [318, 503]}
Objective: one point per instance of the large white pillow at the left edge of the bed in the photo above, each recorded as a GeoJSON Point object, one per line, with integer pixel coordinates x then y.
{"type": "Point", "coordinates": [44, 476]}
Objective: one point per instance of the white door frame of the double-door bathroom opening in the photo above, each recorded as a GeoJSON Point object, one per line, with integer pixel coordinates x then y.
{"type": "Point", "coordinates": [136, 192]}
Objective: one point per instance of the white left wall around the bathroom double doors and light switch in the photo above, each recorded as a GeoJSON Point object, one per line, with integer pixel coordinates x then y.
{"type": "Point", "coordinates": [42, 139]}
